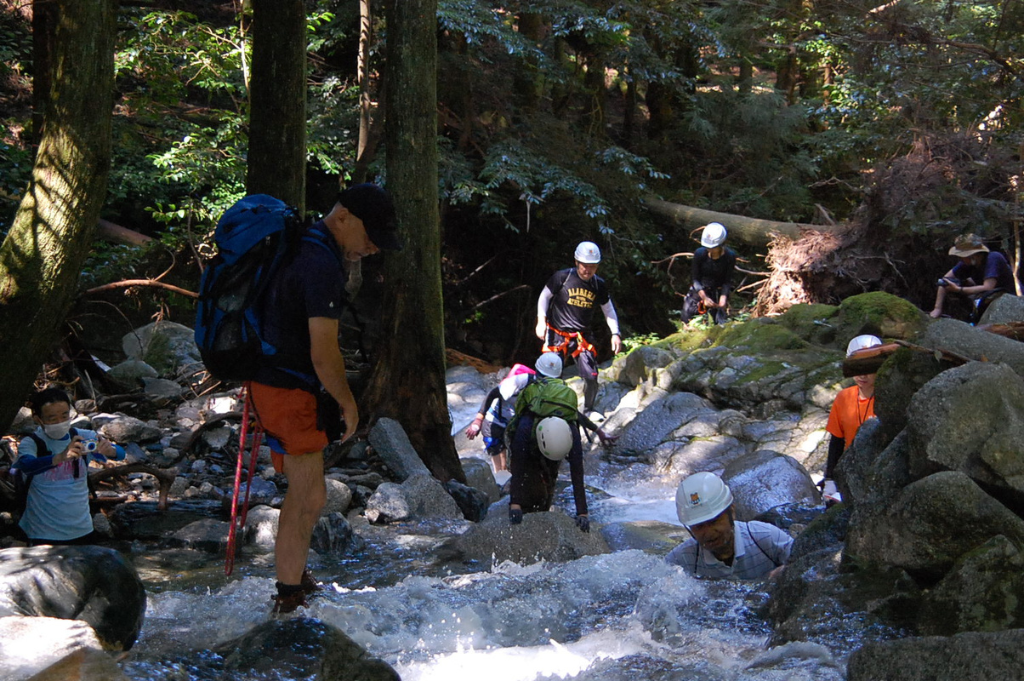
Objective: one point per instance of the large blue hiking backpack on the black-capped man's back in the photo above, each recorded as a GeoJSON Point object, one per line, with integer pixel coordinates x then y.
{"type": "Point", "coordinates": [254, 238]}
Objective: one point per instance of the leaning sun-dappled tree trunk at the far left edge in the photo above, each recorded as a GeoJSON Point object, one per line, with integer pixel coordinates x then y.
{"type": "Point", "coordinates": [42, 257]}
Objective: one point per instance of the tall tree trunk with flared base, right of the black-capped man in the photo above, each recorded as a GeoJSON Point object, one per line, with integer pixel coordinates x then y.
{"type": "Point", "coordinates": [408, 381]}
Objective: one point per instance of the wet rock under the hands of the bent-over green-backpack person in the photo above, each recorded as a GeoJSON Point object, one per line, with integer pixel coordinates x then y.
{"type": "Point", "coordinates": [542, 536]}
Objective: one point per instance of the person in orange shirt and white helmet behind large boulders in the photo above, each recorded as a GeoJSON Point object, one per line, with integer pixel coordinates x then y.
{"type": "Point", "coordinates": [851, 409]}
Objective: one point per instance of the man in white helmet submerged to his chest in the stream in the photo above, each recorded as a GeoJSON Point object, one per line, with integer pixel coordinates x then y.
{"type": "Point", "coordinates": [722, 547]}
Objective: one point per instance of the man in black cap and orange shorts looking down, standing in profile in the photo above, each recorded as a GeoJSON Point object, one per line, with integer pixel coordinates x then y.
{"type": "Point", "coordinates": [302, 312]}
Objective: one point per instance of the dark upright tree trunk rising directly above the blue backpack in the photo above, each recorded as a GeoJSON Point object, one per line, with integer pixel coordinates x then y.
{"type": "Point", "coordinates": [278, 102]}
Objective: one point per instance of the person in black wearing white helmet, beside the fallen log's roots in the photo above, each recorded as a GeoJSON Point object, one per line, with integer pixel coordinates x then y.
{"type": "Point", "coordinates": [712, 270]}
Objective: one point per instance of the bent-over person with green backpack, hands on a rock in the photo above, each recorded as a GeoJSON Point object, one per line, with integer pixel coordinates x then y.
{"type": "Point", "coordinates": [545, 432]}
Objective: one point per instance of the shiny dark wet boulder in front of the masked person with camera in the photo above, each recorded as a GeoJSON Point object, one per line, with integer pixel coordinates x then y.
{"type": "Point", "coordinates": [96, 585]}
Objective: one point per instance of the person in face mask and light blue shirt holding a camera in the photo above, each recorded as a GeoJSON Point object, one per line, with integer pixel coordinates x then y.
{"type": "Point", "coordinates": [53, 463]}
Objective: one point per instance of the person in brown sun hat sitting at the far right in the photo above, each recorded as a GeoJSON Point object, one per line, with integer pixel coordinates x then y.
{"type": "Point", "coordinates": [982, 275]}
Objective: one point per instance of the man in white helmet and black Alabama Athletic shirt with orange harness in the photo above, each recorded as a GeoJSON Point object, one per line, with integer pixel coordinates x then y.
{"type": "Point", "coordinates": [566, 310]}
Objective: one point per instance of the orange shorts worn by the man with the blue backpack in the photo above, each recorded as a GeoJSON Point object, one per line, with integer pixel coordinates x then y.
{"type": "Point", "coordinates": [289, 418]}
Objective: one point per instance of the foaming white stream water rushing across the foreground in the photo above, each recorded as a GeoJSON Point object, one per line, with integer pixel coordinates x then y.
{"type": "Point", "coordinates": [624, 616]}
